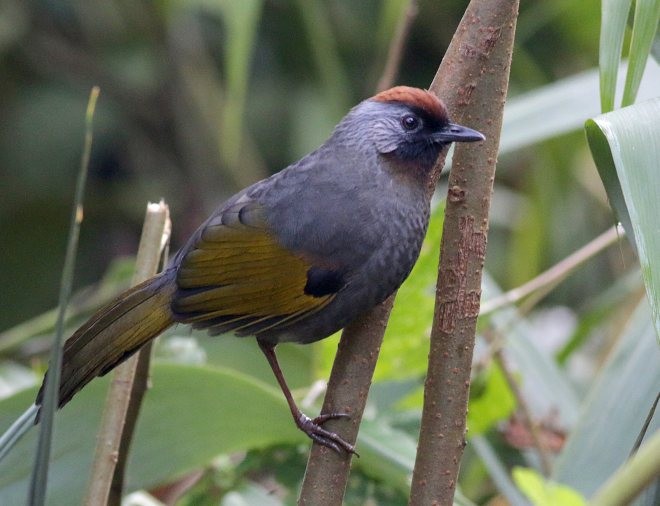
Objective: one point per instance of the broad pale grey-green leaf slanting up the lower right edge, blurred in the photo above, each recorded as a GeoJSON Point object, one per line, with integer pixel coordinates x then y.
{"type": "Point", "coordinates": [614, 410]}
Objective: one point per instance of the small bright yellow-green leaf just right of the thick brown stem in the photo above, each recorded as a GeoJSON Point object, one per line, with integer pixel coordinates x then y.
{"type": "Point", "coordinates": [490, 404]}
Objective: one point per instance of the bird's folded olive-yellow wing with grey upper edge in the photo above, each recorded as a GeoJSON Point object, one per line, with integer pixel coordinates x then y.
{"type": "Point", "coordinates": [236, 276]}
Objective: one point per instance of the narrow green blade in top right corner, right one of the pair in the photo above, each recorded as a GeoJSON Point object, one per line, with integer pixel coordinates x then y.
{"type": "Point", "coordinates": [647, 13]}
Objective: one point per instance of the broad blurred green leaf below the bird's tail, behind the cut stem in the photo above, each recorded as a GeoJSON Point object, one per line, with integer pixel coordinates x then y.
{"type": "Point", "coordinates": [189, 416]}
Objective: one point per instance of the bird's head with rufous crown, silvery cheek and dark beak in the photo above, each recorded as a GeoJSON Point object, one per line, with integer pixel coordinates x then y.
{"type": "Point", "coordinates": [409, 125]}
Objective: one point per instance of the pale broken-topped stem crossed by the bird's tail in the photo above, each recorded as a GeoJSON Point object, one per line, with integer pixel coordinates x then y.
{"type": "Point", "coordinates": [113, 425]}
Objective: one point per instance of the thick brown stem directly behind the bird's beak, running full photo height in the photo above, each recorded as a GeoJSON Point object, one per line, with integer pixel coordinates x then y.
{"type": "Point", "coordinates": [473, 81]}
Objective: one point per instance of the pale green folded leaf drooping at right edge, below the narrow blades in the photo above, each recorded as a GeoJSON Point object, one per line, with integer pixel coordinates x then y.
{"type": "Point", "coordinates": [628, 140]}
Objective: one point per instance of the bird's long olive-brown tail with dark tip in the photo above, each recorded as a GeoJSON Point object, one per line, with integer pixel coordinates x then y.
{"type": "Point", "coordinates": [114, 333]}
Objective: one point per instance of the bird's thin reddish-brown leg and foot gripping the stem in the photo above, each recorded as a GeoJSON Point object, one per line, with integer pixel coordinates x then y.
{"type": "Point", "coordinates": [312, 427]}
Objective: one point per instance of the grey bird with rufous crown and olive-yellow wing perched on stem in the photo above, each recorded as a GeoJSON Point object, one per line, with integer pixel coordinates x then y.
{"type": "Point", "coordinates": [294, 257]}
